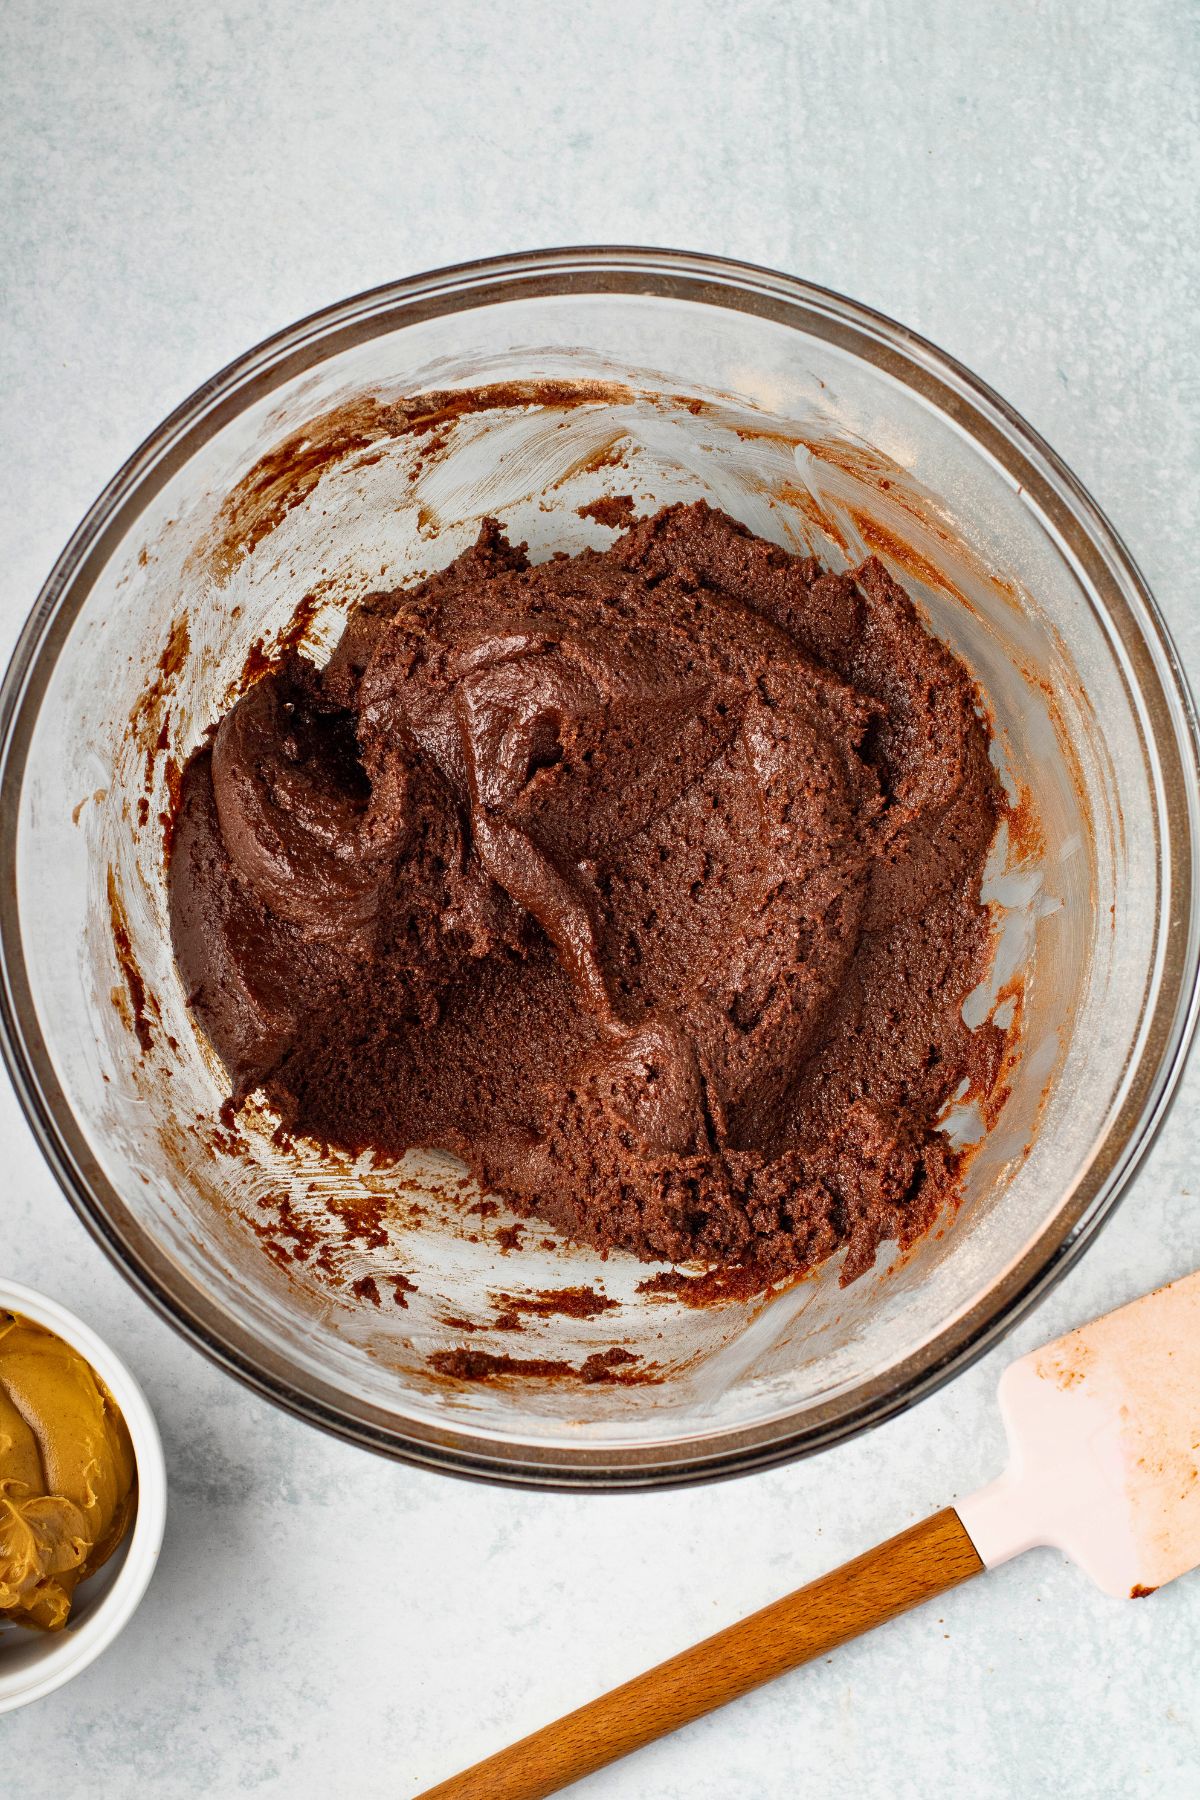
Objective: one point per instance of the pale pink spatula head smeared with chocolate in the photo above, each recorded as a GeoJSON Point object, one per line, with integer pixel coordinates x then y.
{"type": "Point", "coordinates": [1106, 1435]}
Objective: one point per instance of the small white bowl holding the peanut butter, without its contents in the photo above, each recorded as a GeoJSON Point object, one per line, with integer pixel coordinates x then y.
{"type": "Point", "coordinates": [37, 1662]}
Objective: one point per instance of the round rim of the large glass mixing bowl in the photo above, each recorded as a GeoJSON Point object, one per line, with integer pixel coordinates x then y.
{"type": "Point", "coordinates": [1172, 746]}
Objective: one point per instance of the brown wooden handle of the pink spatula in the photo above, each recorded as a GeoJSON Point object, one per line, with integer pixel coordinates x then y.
{"type": "Point", "coordinates": [920, 1563]}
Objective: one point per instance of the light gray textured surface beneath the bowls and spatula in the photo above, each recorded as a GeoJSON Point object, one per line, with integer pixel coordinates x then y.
{"type": "Point", "coordinates": [1017, 181]}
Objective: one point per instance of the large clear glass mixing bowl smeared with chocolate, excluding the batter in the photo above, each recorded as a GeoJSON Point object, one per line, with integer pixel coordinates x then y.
{"type": "Point", "coordinates": [309, 472]}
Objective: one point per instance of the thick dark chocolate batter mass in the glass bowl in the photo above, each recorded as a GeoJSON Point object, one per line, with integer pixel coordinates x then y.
{"type": "Point", "coordinates": [645, 881]}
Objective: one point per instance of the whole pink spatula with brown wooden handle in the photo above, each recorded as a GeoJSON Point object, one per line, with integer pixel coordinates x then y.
{"type": "Point", "coordinates": [1104, 1432]}
